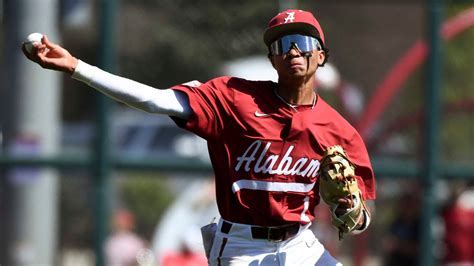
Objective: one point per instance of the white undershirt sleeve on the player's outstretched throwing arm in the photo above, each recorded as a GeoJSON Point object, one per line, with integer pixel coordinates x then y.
{"type": "Point", "coordinates": [132, 93]}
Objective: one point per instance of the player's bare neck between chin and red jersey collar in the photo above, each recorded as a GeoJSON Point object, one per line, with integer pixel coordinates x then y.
{"type": "Point", "coordinates": [297, 93]}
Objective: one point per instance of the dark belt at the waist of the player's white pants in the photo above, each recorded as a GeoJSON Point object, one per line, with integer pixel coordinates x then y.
{"type": "Point", "coordinates": [276, 233]}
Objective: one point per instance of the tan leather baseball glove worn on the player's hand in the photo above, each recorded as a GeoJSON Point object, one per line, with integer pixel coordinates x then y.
{"type": "Point", "coordinates": [338, 188]}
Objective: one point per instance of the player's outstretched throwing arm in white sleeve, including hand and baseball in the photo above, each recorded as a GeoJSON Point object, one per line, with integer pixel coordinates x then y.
{"type": "Point", "coordinates": [40, 49]}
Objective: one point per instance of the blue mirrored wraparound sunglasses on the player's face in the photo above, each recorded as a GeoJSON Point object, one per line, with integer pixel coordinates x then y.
{"type": "Point", "coordinates": [303, 43]}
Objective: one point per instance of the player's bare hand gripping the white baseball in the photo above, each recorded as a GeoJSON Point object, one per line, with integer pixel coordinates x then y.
{"type": "Point", "coordinates": [51, 56]}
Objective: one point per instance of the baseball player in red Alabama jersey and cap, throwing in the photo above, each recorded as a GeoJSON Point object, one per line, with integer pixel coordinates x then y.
{"type": "Point", "coordinates": [266, 141]}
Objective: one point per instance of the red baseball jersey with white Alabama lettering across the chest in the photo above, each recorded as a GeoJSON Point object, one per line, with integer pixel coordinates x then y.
{"type": "Point", "coordinates": [265, 154]}
